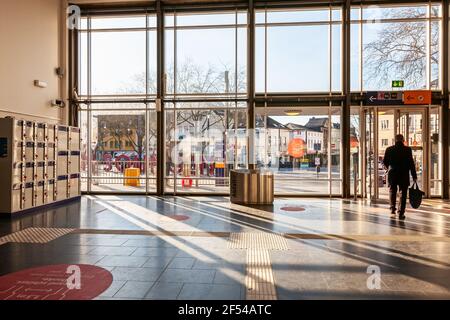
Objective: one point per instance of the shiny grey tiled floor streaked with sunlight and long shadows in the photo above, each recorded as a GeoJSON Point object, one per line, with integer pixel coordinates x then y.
{"type": "Point", "coordinates": [330, 247]}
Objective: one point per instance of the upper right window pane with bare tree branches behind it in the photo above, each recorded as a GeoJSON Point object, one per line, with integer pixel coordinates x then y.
{"type": "Point", "coordinates": [397, 43]}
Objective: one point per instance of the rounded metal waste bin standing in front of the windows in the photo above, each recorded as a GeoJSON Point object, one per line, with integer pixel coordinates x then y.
{"type": "Point", "coordinates": [251, 187]}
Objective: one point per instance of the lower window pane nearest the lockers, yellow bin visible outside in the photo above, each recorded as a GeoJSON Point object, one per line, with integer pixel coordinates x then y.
{"type": "Point", "coordinates": [118, 142]}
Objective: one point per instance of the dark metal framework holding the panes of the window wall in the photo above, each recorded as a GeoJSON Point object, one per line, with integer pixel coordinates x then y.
{"type": "Point", "coordinates": [347, 97]}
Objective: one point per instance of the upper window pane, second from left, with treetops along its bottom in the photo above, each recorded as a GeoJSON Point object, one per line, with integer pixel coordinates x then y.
{"type": "Point", "coordinates": [210, 60]}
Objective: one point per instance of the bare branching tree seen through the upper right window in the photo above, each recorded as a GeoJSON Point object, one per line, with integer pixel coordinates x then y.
{"type": "Point", "coordinates": [399, 50]}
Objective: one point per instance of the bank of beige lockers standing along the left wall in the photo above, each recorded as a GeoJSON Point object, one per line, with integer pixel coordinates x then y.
{"type": "Point", "coordinates": [39, 164]}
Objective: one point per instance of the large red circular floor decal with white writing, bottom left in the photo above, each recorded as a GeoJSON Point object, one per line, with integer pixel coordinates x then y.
{"type": "Point", "coordinates": [56, 282]}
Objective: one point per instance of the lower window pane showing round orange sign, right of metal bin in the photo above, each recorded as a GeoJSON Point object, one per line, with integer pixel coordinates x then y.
{"type": "Point", "coordinates": [302, 147]}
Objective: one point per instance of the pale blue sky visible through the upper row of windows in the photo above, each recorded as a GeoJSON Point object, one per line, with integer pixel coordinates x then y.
{"type": "Point", "coordinates": [298, 56]}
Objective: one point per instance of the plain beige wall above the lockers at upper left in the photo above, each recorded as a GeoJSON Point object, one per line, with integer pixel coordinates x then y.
{"type": "Point", "coordinates": [30, 49]}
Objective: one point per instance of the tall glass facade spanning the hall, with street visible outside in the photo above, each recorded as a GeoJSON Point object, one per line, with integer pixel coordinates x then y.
{"type": "Point", "coordinates": [205, 82]}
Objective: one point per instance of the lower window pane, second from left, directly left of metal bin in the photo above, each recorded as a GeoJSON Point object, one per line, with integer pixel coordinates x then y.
{"type": "Point", "coordinates": [202, 147]}
